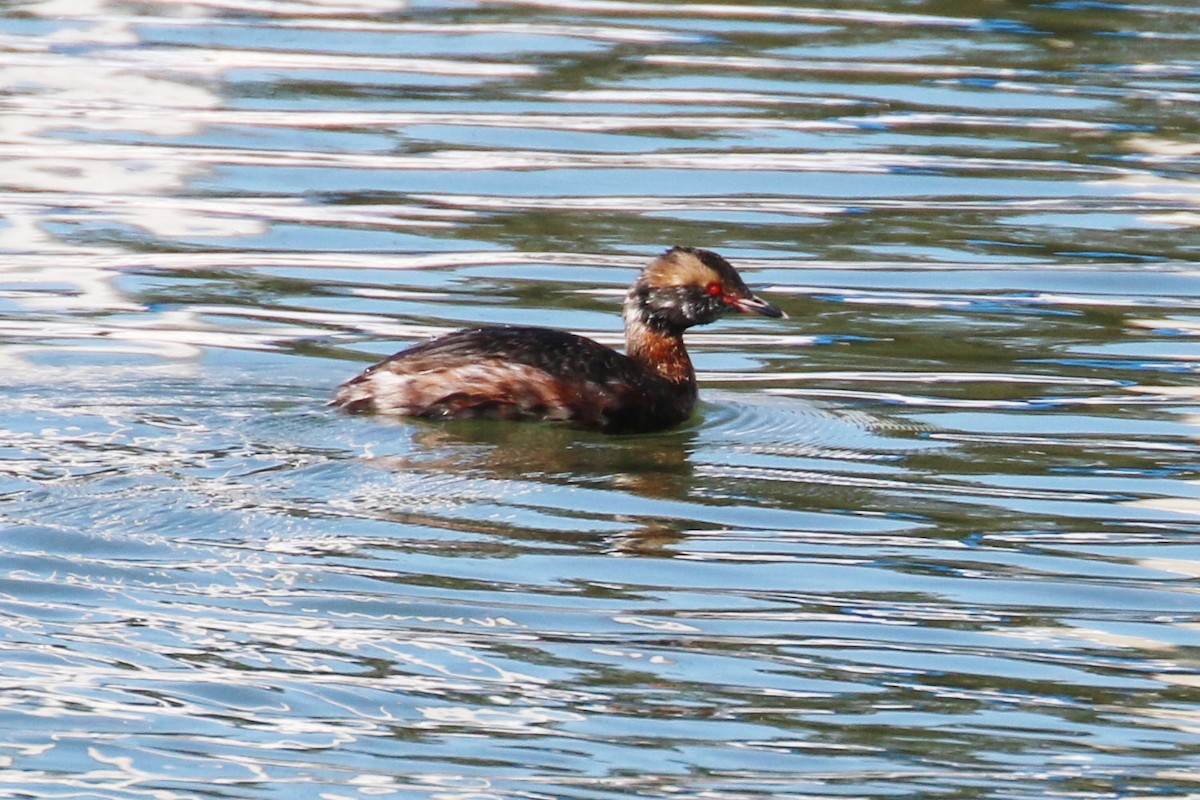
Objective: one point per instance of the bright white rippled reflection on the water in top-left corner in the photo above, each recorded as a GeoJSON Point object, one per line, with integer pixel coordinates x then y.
{"type": "Point", "coordinates": [53, 181]}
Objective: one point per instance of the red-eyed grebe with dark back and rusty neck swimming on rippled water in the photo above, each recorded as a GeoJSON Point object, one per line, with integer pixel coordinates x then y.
{"type": "Point", "coordinates": [538, 374]}
